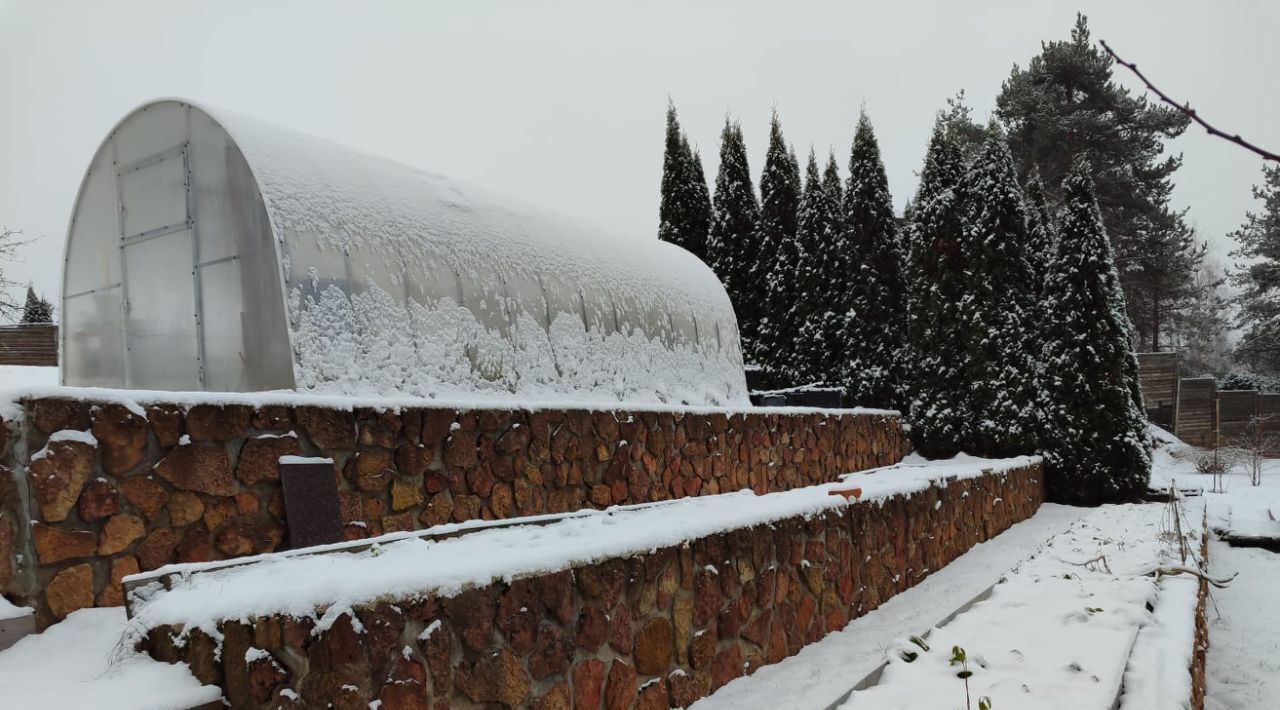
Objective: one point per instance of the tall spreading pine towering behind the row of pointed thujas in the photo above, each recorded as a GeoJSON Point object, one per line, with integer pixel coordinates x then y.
{"type": "Point", "coordinates": [1066, 106]}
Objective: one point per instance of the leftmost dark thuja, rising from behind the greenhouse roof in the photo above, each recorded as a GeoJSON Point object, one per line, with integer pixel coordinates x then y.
{"type": "Point", "coordinates": [684, 212]}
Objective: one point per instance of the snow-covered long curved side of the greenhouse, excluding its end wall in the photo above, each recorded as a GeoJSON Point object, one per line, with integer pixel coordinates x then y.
{"type": "Point", "coordinates": [545, 308]}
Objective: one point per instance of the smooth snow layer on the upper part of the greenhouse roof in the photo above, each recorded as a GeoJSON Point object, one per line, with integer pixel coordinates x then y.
{"type": "Point", "coordinates": [358, 201]}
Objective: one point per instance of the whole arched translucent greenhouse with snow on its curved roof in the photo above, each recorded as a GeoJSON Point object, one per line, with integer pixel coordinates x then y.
{"type": "Point", "coordinates": [214, 253]}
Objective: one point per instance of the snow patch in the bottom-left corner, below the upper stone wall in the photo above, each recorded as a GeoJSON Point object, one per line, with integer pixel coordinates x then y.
{"type": "Point", "coordinates": [79, 663]}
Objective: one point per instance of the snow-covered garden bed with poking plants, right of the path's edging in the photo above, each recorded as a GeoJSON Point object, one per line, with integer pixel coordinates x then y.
{"type": "Point", "coordinates": [1057, 634]}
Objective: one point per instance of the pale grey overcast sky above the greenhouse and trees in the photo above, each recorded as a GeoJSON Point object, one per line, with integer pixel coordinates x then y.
{"type": "Point", "coordinates": [561, 104]}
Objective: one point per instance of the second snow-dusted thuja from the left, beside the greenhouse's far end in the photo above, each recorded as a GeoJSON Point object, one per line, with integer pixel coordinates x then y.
{"type": "Point", "coordinates": [734, 244]}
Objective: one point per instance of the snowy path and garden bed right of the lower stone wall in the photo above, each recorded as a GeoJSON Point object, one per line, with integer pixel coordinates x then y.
{"type": "Point", "coordinates": [1057, 633]}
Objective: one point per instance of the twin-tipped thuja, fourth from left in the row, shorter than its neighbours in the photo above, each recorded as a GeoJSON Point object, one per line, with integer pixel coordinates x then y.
{"type": "Point", "coordinates": [824, 303]}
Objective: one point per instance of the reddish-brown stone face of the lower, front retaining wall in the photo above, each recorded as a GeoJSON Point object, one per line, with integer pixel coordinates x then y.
{"type": "Point", "coordinates": [652, 631]}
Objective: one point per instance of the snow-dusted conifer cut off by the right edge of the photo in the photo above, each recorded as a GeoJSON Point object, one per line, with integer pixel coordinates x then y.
{"type": "Point", "coordinates": [1259, 280]}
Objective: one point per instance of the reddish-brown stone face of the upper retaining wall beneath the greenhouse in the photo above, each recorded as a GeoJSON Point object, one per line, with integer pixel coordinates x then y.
{"type": "Point", "coordinates": [168, 484]}
